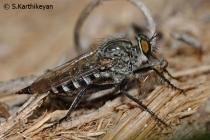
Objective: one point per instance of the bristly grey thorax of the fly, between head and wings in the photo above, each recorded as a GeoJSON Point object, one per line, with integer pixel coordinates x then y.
{"type": "Point", "coordinates": [128, 57]}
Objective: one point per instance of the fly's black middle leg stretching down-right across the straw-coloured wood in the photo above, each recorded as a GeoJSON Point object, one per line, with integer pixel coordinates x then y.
{"type": "Point", "coordinates": [122, 89]}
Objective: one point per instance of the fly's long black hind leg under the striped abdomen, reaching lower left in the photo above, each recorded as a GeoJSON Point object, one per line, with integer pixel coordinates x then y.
{"type": "Point", "coordinates": [77, 100]}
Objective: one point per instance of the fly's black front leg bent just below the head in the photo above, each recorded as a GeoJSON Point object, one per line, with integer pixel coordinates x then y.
{"type": "Point", "coordinates": [146, 69]}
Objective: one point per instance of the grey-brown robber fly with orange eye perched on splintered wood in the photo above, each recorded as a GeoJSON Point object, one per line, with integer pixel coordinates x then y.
{"type": "Point", "coordinates": [115, 63]}
